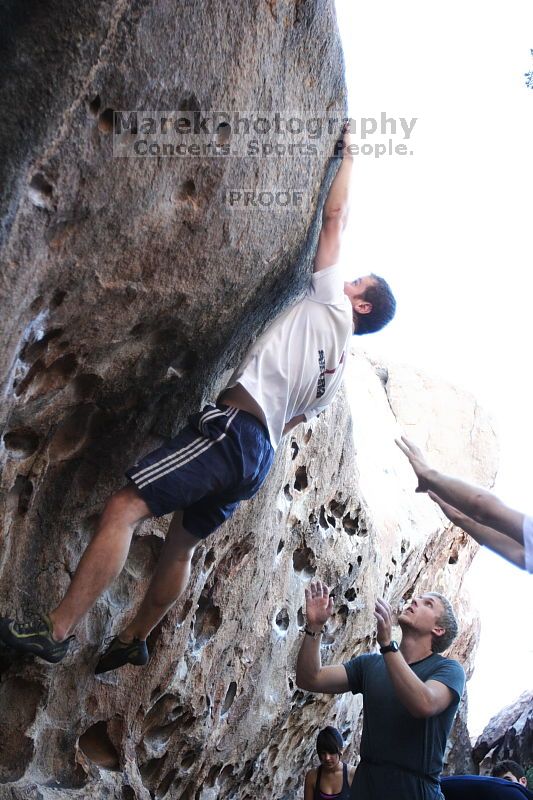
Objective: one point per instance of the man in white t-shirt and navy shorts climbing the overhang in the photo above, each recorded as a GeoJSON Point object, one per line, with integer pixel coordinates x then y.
{"type": "Point", "coordinates": [290, 374]}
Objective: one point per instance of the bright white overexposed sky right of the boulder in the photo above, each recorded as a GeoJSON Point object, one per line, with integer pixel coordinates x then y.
{"type": "Point", "coordinates": [450, 229]}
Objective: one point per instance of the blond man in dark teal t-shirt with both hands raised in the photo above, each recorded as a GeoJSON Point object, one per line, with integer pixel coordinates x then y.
{"type": "Point", "coordinates": [410, 693]}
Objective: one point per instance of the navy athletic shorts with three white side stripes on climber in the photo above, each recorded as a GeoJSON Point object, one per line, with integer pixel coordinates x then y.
{"type": "Point", "coordinates": [220, 458]}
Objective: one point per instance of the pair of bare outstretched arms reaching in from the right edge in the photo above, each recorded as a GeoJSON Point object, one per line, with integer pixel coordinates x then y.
{"type": "Point", "coordinates": [504, 530]}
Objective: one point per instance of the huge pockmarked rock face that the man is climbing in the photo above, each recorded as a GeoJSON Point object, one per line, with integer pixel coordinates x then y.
{"type": "Point", "coordinates": [128, 289]}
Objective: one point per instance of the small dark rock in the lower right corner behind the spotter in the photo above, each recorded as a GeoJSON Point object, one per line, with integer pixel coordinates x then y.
{"type": "Point", "coordinates": [509, 734]}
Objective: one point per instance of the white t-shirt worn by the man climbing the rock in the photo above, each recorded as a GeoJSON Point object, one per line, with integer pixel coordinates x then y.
{"type": "Point", "coordinates": [296, 366]}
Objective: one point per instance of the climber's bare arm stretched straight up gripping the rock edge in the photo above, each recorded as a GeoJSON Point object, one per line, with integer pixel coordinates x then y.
{"type": "Point", "coordinates": [335, 213]}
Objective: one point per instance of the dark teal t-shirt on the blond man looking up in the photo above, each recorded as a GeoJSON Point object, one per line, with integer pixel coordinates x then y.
{"type": "Point", "coordinates": [401, 756]}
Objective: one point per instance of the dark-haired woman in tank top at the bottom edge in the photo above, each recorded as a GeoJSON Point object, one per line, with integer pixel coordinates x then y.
{"type": "Point", "coordinates": [333, 778]}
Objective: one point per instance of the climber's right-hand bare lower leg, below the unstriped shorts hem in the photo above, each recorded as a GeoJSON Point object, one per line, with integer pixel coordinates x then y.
{"type": "Point", "coordinates": [168, 581]}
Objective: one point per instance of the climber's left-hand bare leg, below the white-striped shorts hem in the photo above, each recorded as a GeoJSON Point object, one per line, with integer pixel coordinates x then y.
{"type": "Point", "coordinates": [102, 560]}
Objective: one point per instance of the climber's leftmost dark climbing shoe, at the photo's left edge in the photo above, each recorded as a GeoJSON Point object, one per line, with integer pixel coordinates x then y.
{"type": "Point", "coordinates": [33, 637]}
